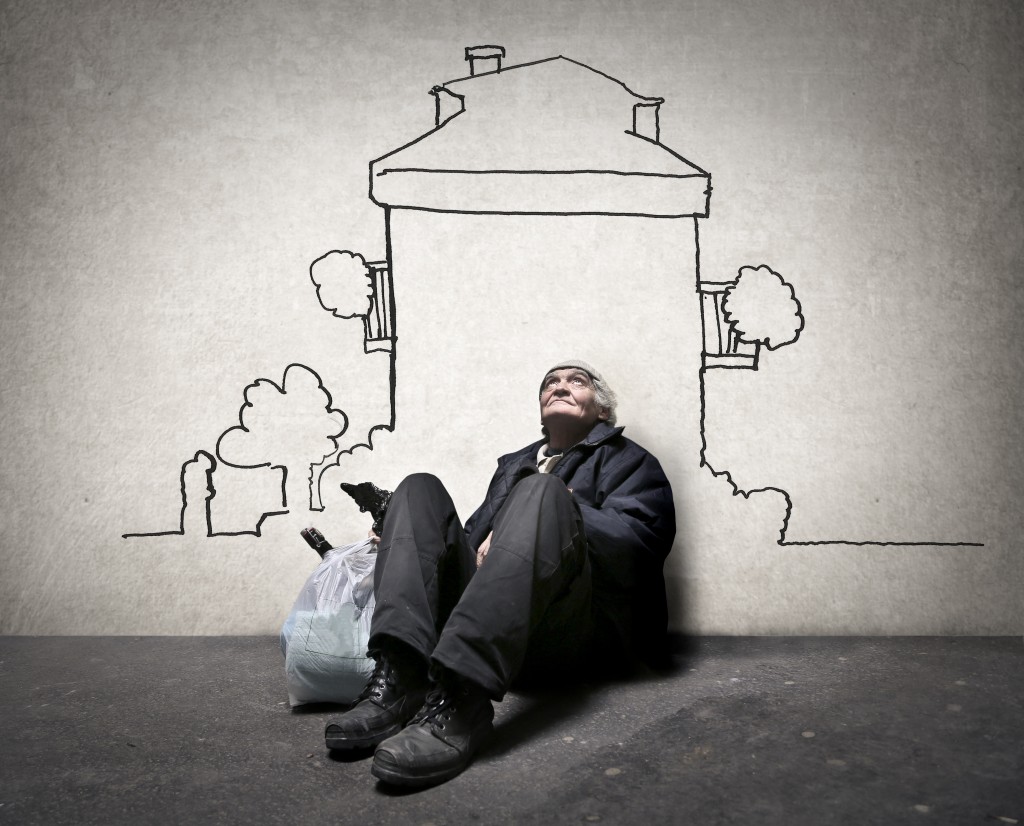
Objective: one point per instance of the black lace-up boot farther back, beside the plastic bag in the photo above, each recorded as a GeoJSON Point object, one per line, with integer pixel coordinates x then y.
{"type": "Point", "coordinates": [394, 694]}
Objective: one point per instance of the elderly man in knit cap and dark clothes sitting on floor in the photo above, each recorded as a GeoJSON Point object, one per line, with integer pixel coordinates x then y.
{"type": "Point", "coordinates": [559, 574]}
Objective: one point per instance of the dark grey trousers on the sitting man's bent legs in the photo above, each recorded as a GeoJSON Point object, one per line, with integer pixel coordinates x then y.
{"type": "Point", "coordinates": [527, 611]}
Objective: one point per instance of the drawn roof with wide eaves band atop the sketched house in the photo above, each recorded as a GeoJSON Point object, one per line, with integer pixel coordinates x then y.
{"type": "Point", "coordinates": [550, 138]}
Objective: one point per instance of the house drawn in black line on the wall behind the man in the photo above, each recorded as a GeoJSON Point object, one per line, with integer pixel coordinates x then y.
{"type": "Point", "coordinates": [542, 218]}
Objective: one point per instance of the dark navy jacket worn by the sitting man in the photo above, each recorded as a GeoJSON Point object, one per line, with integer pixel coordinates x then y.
{"type": "Point", "coordinates": [630, 519]}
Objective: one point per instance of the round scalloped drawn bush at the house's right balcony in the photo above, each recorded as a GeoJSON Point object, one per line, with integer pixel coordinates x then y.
{"type": "Point", "coordinates": [762, 308]}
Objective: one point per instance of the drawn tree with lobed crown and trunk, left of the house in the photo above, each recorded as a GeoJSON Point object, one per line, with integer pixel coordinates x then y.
{"type": "Point", "coordinates": [292, 427]}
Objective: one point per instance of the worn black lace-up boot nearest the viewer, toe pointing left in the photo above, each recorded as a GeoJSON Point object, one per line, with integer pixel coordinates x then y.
{"type": "Point", "coordinates": [441, 742]}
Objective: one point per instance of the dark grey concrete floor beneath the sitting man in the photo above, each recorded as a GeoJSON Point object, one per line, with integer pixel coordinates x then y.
{"type": "Point", "coordinates": [746, 731]}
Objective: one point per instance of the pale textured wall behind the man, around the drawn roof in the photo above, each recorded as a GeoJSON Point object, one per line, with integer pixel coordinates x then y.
{"type": "Point", "coordinates": [168, 173]}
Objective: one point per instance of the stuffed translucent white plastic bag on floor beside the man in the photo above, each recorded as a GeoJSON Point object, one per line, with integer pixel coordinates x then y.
{"type": "Point", "coordinates": [326, 635]}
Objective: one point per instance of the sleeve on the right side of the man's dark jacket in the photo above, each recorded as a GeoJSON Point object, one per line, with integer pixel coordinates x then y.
{"type": "Point", "coordinates": [630, 520]}
